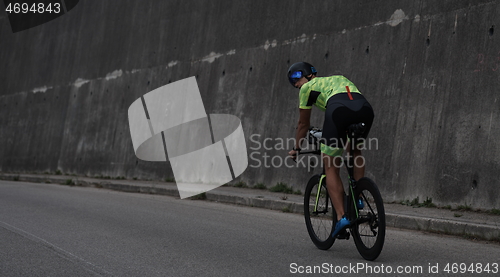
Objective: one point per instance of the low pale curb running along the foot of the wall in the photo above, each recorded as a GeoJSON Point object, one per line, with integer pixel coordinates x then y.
{"type": "Point", "coordinates": [395, 220]}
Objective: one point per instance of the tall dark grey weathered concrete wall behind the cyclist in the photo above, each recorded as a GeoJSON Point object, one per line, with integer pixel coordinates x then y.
{"type": "Point", "coordinates": [429, 68]}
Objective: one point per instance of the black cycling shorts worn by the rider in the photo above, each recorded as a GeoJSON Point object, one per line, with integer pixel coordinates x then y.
{"type": "Point", "coordinates": [340, 113]}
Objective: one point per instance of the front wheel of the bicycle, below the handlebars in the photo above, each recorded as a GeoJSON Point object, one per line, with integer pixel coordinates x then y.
{"type": "Point", "coordinates": [320, 222]}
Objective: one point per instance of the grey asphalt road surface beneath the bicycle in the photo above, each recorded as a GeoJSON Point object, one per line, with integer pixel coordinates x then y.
{"type": "Point", "coordinates": [54, 230]}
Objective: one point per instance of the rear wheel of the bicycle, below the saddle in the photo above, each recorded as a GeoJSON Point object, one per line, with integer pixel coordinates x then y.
{"type": "Point", "coordinates": [369, 230]}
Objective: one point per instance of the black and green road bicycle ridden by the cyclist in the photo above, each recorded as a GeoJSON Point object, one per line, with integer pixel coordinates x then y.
{"type": "Point", "coordinates": [367, 221]}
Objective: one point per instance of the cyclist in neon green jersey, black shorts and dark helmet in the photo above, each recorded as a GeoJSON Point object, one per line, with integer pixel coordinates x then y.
{"type": "Point", "coordinates": [343, 105]}
